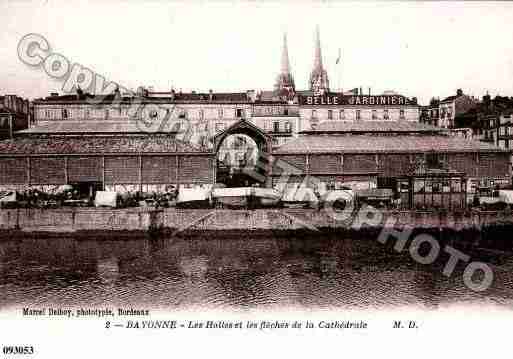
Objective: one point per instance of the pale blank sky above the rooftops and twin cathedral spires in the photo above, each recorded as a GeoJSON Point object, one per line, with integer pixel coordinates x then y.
{"type": "Point", "coordinates": [420, 49]}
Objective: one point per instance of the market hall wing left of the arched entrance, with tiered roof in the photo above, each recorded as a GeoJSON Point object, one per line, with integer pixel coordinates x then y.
{"type": "Point", "coordinates": [106, 155]}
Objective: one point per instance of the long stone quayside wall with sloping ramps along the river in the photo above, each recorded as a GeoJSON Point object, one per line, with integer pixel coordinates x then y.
{"type": "Point", "coordinates": [123, 222]}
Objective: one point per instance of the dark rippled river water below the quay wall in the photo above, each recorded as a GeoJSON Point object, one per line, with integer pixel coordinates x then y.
{"type": "Point", "coordinates": [315, 272]}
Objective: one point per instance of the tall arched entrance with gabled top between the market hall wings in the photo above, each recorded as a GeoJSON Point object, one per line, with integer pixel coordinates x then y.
{"type": "Point", "coordinates": [242, 156]}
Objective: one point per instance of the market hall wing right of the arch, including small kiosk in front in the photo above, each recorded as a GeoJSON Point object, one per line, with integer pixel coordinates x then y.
{"type": "Point", "coordinates": [423, 165]}
